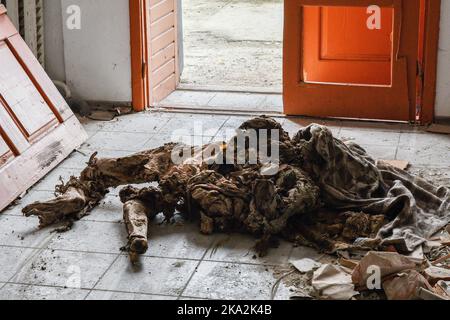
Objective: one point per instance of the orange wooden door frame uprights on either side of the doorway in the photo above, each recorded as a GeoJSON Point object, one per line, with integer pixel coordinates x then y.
{"type": "Point", "coordinates": [428, 54]}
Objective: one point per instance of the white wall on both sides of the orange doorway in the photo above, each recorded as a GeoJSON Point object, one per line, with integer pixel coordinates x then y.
{"type": "Point", "coordinates": [95, 61]}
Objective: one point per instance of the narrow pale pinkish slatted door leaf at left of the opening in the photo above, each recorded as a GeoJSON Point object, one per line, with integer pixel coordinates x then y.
{"type": "Point", "coordinates": [162, 50]}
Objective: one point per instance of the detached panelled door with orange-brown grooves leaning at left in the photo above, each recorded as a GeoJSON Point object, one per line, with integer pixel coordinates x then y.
{"type": "Point", "coordinates": [37, 128]}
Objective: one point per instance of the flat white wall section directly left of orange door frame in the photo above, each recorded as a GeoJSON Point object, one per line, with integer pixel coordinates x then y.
{"type": "Point", "coordinates": [97, 57]}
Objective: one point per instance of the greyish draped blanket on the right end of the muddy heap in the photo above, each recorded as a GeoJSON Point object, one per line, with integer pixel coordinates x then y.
{"type": "Point", "coordinates": [350, 180]}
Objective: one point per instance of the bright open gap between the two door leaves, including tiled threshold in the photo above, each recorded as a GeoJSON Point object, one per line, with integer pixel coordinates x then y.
{"type": "Point", "coordinates": [231, 56]}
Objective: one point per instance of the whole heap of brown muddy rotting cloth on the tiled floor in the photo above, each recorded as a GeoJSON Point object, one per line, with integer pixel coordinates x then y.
{"type": "Point", "coordinates": [323, 191]}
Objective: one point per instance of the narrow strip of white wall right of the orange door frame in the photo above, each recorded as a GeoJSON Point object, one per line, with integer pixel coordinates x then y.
{"type": "Point", "coordinates": [443, 78]}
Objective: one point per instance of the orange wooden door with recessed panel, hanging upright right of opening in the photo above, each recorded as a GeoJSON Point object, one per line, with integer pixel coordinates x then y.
{"type": "Point", "coordinates": [340, 63]}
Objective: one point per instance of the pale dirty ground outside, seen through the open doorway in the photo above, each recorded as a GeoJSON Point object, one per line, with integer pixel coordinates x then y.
{"type": "Point", "coordinates": [225, 38]}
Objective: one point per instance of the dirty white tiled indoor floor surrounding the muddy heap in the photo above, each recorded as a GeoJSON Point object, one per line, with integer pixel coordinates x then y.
{"type": "Point", "coordinates": [86, 262]}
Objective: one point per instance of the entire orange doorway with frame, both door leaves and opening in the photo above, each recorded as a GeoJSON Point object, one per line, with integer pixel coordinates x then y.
{"type": "Point", "coordinates": [225, 55]}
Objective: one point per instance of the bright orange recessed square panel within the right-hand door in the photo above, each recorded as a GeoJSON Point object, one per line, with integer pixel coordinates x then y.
{"type": "Point", "coordinates": [340, 48]}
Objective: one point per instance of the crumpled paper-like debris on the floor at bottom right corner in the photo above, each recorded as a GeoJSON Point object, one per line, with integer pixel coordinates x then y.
{"type": "Point", "coordinates": [378, 275]}
